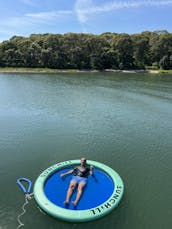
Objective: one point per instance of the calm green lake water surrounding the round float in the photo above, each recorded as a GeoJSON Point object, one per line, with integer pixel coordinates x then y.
{"type": "Point", "coordinates": [121, 120]}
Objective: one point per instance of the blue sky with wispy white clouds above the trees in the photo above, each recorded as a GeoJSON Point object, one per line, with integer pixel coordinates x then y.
{"type": "Point", "coordinates": [26, 17]}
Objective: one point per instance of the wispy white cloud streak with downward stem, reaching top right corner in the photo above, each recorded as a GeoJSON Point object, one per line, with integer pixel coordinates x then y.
{"type": "Point", "coordinates": [86, 8]}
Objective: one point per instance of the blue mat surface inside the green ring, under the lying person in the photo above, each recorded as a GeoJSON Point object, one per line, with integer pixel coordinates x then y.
{"type": "Point", "coordinates": [98, 189]}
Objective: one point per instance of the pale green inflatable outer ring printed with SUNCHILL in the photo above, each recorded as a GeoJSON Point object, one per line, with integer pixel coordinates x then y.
{"type": "Point", "coordinates": [78, 215]}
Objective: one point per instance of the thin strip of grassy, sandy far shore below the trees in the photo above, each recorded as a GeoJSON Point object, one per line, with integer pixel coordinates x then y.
{"type": "Point", "coordinates": [47, 70]}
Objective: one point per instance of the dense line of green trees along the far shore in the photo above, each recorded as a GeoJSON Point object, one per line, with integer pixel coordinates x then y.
{"type": "Point", "coordinates": [89, 51]}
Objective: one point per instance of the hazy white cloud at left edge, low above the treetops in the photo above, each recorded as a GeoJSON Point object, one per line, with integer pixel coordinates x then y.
{"type": "Point", "coordinates": [30, 22]}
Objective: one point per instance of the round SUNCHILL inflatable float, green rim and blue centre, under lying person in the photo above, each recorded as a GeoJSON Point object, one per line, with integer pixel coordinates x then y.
{"type": "Point", "coordinates": [101, 195]}
